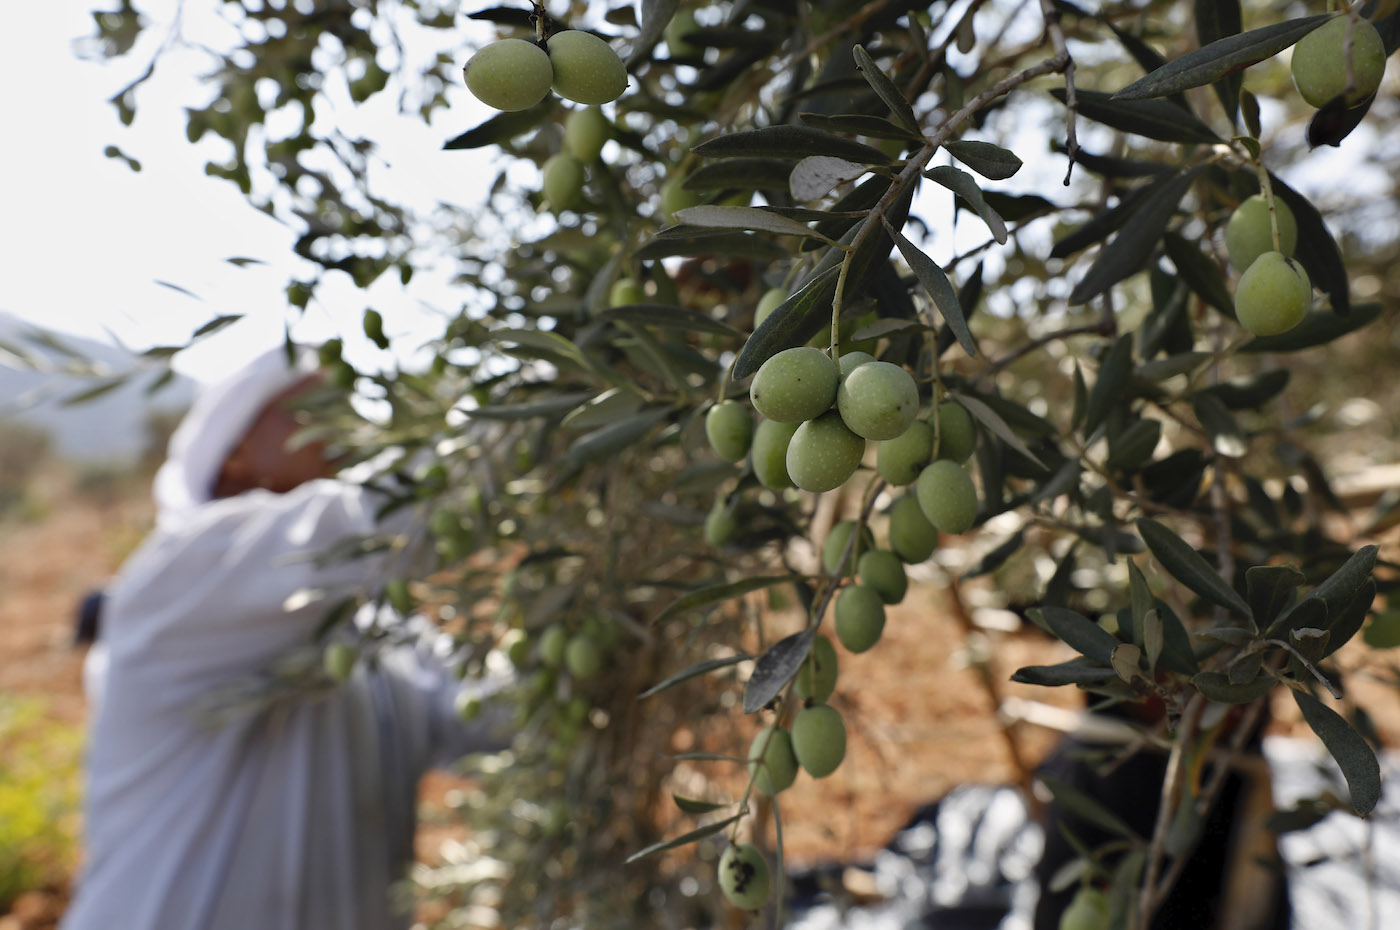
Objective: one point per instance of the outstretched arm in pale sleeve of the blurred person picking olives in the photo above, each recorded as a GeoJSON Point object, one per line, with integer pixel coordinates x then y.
{"type": "Point", "coordinates": [247, 582]}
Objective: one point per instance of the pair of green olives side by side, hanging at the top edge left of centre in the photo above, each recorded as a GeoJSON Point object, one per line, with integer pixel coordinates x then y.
{"type": "Point", "coordinates": [517, 74]}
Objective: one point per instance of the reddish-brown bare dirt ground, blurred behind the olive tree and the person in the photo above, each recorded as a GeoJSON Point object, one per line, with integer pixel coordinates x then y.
{"type": "Point", "coordinates": [919, 712]}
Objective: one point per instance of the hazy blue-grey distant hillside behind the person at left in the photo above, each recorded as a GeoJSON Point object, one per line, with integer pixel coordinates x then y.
{"type": "Point", "coordinates": [107, 429]}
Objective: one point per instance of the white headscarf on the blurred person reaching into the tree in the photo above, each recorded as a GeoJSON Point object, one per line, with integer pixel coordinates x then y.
{"type": "Point", "coordinates": [216, 424]}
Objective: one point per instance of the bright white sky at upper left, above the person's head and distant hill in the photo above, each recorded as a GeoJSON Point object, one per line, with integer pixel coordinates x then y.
{"type": "Point", "coordinates": [83, 239]}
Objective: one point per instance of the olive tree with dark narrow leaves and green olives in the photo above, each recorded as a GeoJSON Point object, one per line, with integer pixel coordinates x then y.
{"type": "Point", "coordinates": [730, 310]}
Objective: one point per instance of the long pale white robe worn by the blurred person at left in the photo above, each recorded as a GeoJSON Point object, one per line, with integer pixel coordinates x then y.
{"type": "Point", "coordinates": [293, 810]}
